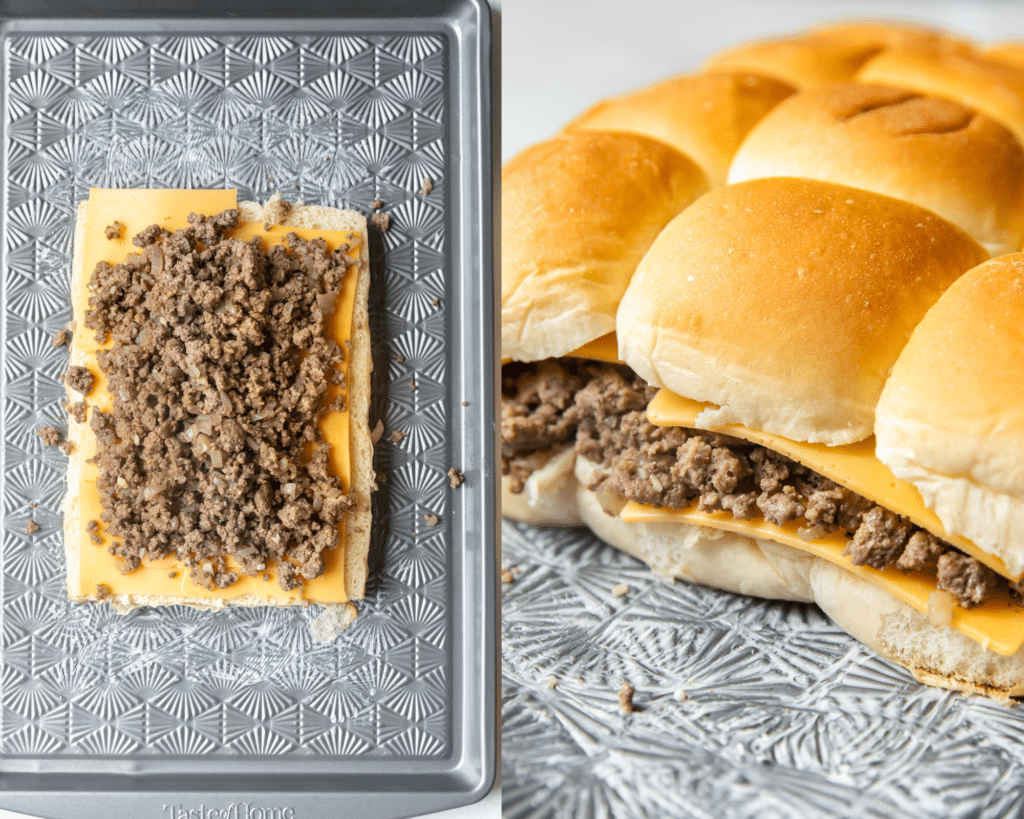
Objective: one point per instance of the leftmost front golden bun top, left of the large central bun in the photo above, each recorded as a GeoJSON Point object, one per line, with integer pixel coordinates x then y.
{"type": "Point", "coordinates": [578, 214]}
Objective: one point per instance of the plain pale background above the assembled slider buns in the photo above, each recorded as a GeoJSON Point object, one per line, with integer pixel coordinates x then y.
{"type": "Point", "coordinates": [560, 58]}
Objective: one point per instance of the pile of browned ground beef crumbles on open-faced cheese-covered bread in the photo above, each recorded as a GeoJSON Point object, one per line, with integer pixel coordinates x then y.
{"type": "Point", "coordinates": [219, 370]}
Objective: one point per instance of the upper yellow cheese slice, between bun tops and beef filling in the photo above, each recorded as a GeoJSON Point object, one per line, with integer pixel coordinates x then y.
{"type": "Point", "coordinates": [854, 466]}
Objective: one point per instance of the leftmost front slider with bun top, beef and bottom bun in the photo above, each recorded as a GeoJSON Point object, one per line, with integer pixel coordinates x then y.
{"type": "Point", "coordinates": [579, 212]}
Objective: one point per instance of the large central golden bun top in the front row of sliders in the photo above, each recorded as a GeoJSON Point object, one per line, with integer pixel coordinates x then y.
{"type": "Point", "coordinates": [787, 301]}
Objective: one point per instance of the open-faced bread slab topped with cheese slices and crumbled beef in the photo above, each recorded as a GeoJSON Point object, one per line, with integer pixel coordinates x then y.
{"type": "Point", "coordinates": [220, 390]}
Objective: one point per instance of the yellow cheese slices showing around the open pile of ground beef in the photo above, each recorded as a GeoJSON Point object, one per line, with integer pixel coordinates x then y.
{"type": "Point", "coordinates": [137, 210]}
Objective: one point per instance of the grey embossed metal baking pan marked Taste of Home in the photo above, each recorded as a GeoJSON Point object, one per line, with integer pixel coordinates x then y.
{"type": "Point", "coordinates": [168, 713]}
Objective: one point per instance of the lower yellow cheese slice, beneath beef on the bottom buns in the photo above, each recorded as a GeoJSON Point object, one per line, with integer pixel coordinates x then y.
{"type": "Point", "coordinates": [998, 624]}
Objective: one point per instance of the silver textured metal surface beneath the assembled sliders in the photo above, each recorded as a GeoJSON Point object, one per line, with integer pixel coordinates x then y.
{"type": "Point", "coordinates": [746, 708]}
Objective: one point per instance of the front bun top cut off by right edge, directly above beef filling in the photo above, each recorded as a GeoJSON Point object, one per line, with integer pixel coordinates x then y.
{"type": "Point", "coordinates": [951, 419]}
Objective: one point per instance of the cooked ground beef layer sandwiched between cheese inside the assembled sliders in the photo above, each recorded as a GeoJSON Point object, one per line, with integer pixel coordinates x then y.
{"type": "Point", "coordinates": [672, 467]}
